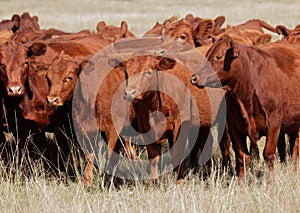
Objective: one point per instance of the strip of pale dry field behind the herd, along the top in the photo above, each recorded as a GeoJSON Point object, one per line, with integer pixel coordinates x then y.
{"type": "Point", "coordinates": [76, 15]}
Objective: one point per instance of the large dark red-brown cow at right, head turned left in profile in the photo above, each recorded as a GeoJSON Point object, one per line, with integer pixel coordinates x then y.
{"type": "Point", "coordinates": [257, 106]}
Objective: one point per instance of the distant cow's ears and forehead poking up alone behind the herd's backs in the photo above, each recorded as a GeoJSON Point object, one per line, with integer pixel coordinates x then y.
{"type": "Point", "coordinates": [113, 33]}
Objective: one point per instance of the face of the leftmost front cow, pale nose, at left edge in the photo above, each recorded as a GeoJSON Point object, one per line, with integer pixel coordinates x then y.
{"type": "Point", "coordinates": [13, 67]}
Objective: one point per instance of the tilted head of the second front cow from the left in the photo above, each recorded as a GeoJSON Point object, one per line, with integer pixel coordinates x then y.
{"type": "Point", "coordinates": [62, 77]}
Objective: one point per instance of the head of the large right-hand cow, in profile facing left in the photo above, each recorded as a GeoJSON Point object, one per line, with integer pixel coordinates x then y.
{"type": "Point", "coordinates": [216, 71]}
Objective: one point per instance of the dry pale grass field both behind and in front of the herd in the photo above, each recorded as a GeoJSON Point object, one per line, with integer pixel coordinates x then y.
{"type": "Point", "coordinates": [220, 192]}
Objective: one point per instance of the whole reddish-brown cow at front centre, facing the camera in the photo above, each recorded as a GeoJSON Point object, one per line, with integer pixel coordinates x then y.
{"type": "Point", "coordinates": [142, 92]}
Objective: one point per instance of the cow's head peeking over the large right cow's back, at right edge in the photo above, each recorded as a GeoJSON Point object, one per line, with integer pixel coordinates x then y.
{"type": "Point", "coordinates": [292, 36]}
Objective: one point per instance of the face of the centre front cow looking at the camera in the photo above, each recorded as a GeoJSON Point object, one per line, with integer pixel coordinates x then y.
{"type": "Point", "coordinates": [142, 75]}
